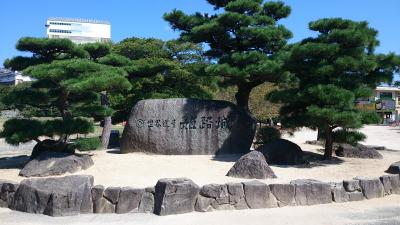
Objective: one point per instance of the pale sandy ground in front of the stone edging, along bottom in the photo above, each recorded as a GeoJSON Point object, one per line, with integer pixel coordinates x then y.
{"type": "Point", "coordinates": [382, 211]}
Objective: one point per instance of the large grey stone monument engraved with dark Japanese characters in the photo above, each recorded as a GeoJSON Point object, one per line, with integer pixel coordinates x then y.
{"type": "Point", "coordinates": [187, 127]}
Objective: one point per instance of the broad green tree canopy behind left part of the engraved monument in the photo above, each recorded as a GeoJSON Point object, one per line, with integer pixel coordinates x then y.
{"type": "Point", "coordinates": [159, 69]}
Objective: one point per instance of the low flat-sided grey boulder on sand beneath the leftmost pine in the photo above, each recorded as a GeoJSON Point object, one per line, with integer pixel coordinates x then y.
{"type": "Point", "coordinates": [55, 163]}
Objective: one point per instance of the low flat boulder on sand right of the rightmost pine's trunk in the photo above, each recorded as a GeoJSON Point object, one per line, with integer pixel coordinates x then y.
{"type": "Point", "coordinates": [358, 151]}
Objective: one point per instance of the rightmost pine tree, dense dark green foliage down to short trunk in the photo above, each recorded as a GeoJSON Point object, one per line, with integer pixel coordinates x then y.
{"type": "Point", "coordinates": [334, 69]}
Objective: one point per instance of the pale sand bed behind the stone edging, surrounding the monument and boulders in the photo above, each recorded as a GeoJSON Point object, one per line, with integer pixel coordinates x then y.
{"type": "Point", "coordinates": [142, 170]}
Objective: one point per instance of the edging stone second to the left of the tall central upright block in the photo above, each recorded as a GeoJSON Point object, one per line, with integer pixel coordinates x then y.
{"type": "Point", "coordinates": [129, 199]}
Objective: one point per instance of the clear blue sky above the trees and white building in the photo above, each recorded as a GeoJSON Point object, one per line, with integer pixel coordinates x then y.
{"type": "Point", "coordinates": [143, 18]}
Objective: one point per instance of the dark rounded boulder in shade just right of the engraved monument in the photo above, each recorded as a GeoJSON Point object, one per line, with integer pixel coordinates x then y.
{"type": "Point", "coordinates": [282, 152]}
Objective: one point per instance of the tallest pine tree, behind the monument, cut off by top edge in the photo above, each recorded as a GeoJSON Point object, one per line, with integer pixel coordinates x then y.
{"type": "Point", "coordinates": [244, 38]}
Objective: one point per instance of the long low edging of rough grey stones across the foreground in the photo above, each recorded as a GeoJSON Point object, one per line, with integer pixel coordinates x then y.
{"type": "Point", "coordinates": [182, 195]}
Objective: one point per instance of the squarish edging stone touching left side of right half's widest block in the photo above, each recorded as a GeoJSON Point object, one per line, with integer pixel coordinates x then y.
{"type": "Point", "coordinates": [284, 193]}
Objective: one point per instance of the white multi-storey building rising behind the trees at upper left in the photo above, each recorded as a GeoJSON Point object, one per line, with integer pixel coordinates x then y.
{"type": "Point", "coordinates": [79, 30]}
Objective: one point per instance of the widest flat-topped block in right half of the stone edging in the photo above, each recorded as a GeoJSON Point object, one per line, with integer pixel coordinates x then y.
{"type": "Point", "coordinates": [312, 192]}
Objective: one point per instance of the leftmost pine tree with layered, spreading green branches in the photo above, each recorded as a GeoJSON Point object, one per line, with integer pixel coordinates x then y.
{"type": "Point", "coordinates": [68, 80]}
